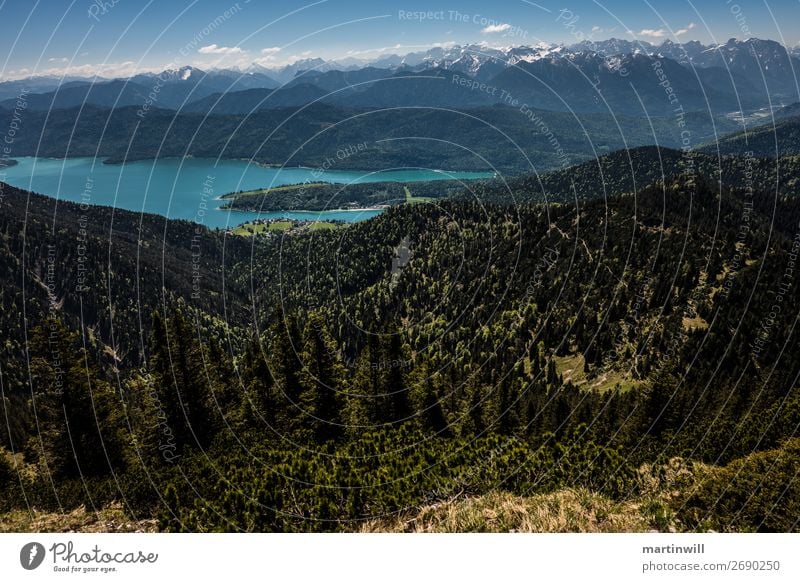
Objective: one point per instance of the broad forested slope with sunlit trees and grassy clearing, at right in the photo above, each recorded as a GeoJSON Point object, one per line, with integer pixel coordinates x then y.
{"type": "Point", "coordinates": [669, 269]}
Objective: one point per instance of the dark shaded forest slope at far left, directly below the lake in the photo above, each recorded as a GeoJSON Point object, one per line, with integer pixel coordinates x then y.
{"type": "Point", "coordinates": [95, 264]}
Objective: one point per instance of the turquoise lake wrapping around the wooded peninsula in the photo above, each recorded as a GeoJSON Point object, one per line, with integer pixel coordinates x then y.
{"type": "Point", "coordinates": [183, 189]}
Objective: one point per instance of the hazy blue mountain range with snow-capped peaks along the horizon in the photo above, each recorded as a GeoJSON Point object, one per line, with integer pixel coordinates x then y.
{"type": "Point", "coordinates": [617, 76]}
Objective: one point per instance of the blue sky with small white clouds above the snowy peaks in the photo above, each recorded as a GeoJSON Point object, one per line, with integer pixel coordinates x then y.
{"type": "Point", "coordinates": [117, 37]}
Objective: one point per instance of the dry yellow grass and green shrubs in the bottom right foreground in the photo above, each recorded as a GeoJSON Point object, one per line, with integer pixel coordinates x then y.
{"type": "Point", "coordinates": [678, 496]}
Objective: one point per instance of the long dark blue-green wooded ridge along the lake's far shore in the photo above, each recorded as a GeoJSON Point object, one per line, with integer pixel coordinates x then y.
{"type": "Point", "coordinates": [510, 139]}
